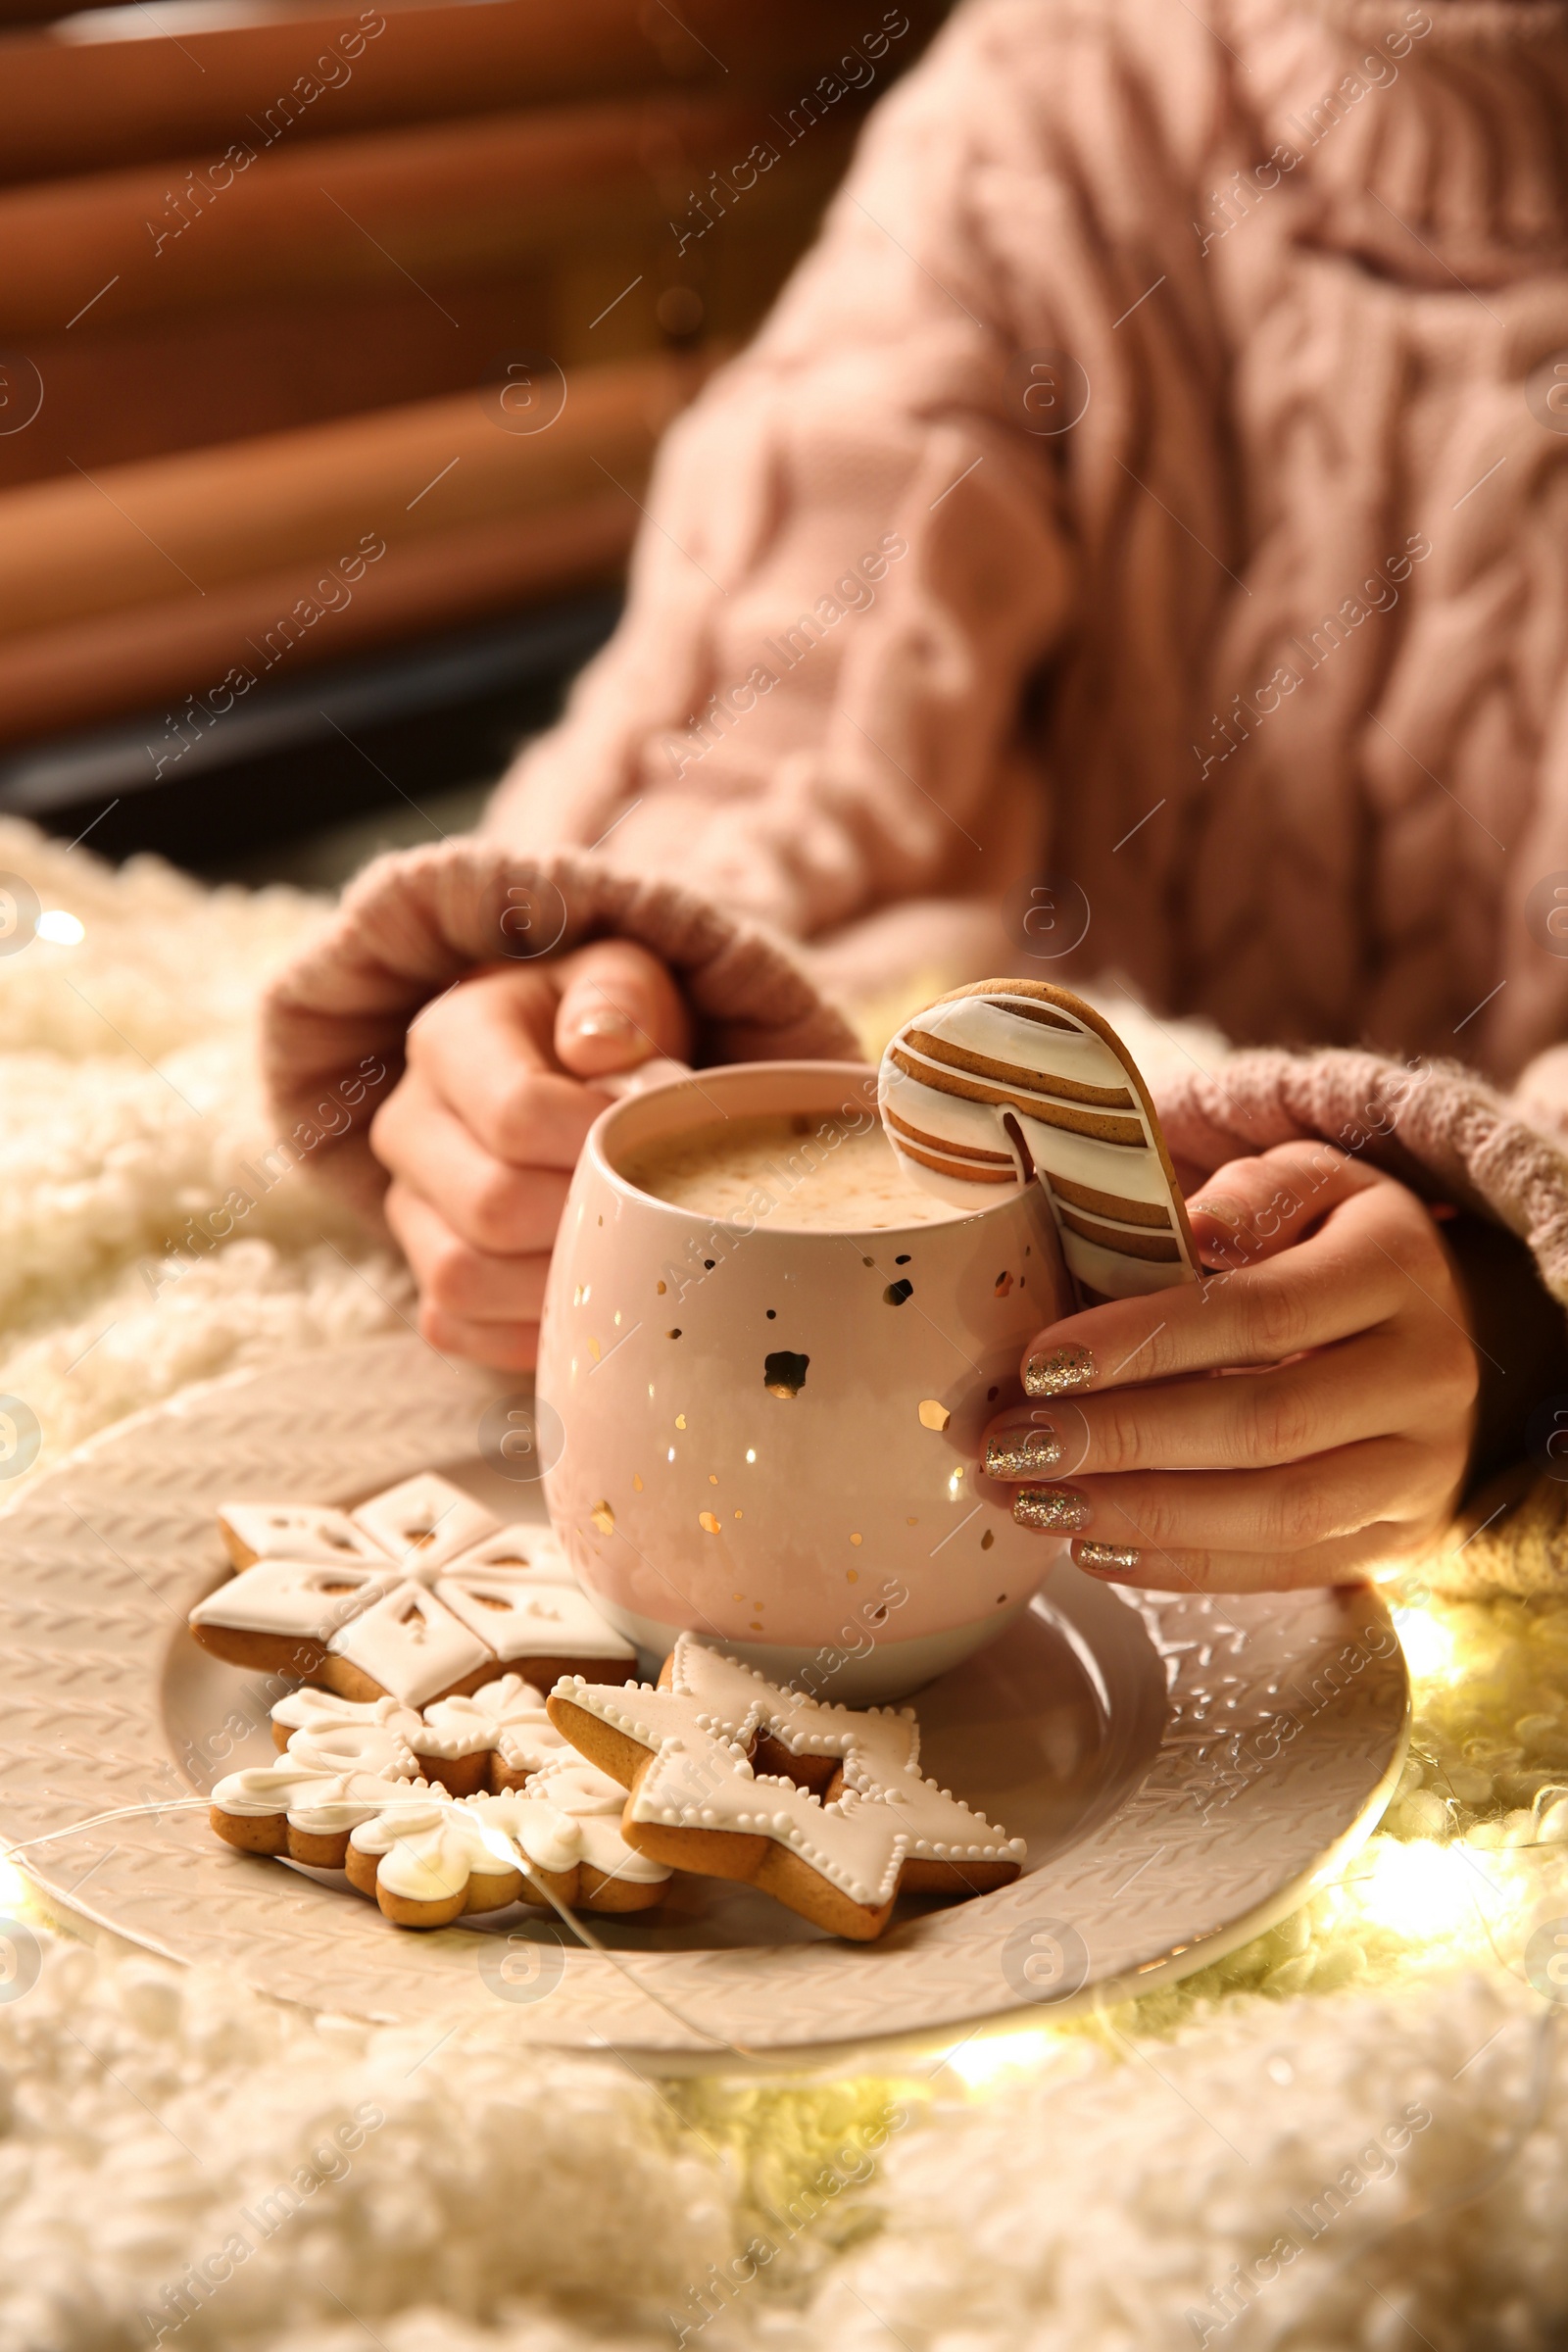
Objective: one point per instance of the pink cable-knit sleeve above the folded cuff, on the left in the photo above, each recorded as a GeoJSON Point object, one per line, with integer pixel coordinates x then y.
{"type": "Point", "coordinates": [850, 568]}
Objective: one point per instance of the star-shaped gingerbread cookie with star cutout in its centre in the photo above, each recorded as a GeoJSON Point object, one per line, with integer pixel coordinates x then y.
{"type": "Point", "coordinates": [822, 1808]}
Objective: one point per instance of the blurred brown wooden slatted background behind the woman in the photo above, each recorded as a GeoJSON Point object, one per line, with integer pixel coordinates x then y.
{"type": "Point", "coordinates": [335, 347]}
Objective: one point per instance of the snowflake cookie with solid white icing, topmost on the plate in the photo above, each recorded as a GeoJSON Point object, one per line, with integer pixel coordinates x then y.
{"type": "Point", "coordinates": [417, 1596]}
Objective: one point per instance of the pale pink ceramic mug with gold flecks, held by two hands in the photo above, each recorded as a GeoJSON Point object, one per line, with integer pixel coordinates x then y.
{"type": "Point", "coordinates": [770, 1434]}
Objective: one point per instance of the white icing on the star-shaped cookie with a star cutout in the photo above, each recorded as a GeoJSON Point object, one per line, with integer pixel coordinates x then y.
{"type": "Point", "coordinates": [702, 1779]}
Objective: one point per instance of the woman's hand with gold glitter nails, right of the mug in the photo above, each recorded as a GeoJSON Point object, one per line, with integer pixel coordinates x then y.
{"type": "Point", "coordinates": [1339, 1441]}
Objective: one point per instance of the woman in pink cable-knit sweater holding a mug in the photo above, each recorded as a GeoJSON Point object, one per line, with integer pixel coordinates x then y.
{"type": "Point", "coordinates": [1139, 533]}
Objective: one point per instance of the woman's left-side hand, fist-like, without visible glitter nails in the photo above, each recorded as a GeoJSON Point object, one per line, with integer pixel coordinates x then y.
{"type": "Point", "coordinates": [483, 1130]}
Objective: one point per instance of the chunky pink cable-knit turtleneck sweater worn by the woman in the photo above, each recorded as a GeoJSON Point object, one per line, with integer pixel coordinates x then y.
{"type": "Point", "coordinates": [1155, 483]}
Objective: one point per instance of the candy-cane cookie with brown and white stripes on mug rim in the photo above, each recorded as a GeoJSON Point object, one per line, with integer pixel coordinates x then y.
{"type": "Point", "coordinates": [1007, 1081]}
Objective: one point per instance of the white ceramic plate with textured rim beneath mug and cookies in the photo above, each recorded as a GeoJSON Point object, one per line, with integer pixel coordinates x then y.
{"type": "Point", "coordinates": [1181, 1768]}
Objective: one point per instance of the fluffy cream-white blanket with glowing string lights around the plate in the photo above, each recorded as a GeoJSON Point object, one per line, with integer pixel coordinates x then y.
{"type": "Point", "coordinates": [1348, 2137]}
